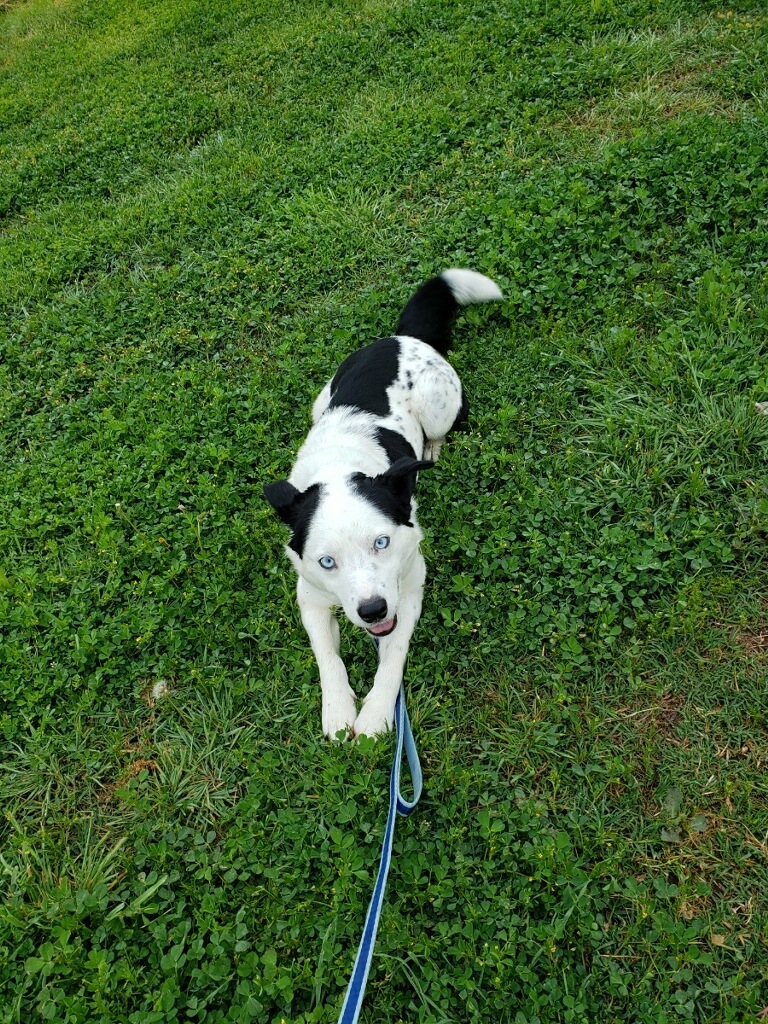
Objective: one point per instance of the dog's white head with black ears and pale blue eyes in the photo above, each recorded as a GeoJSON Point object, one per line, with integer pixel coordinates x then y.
{"type": "Point", "coordinates": [354, 539]}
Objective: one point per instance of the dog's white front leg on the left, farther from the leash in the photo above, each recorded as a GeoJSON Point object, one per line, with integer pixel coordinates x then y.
{"type": "Point", "coordinates": [338, 700]}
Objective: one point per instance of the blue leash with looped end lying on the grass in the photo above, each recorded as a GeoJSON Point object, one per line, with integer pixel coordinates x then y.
{"type": "Point", "coordinates": [398, 805]}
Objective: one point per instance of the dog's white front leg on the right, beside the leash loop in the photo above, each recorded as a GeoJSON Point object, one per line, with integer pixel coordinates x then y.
{"type": "Point", "coordinates": [377, 714]}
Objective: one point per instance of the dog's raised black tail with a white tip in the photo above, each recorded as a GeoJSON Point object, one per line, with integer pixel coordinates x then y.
{"type": "Point", "coordinates": [431, 313]}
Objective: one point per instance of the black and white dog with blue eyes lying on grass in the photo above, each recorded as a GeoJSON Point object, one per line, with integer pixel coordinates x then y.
{"type": "Point", "coordinates": [350, 499]}
